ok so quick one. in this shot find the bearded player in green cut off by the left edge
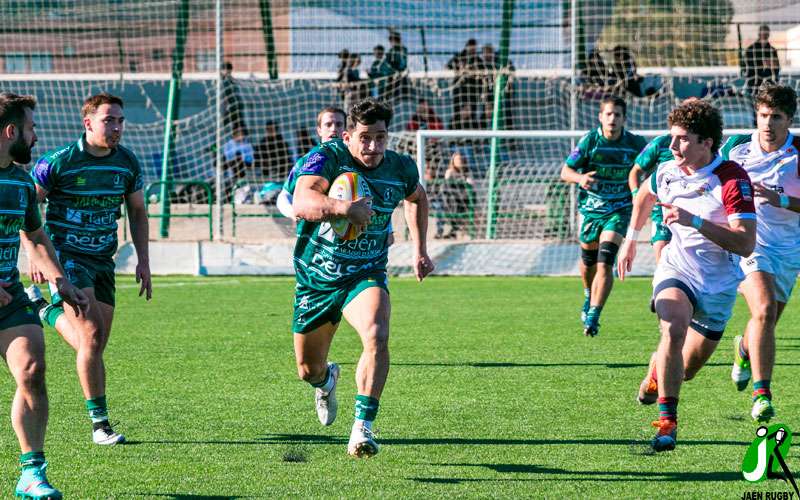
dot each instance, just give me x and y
(21, 337)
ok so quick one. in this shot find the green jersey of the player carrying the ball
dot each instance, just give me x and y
(322, 260)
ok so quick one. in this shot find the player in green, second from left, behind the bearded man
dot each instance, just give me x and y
(85, 184)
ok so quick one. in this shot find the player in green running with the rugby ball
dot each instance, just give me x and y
(338, 278)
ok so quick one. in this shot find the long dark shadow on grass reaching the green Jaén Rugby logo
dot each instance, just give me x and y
(578, 475)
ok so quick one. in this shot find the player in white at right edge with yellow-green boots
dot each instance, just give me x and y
(770, 157)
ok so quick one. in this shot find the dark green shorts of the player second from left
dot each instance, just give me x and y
(89, 272)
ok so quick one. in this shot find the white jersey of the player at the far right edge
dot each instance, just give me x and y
(778, 228)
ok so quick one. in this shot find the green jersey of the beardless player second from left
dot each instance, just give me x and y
(85, 193)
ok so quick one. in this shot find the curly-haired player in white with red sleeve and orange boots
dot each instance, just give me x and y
(708, 206)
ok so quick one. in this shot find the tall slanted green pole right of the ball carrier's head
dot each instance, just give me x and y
(499, 85)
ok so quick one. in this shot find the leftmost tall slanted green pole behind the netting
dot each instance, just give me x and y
(173, 106)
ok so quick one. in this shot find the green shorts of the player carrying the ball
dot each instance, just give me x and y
(313, 308)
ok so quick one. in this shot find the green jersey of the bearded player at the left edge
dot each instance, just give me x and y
(18, 212)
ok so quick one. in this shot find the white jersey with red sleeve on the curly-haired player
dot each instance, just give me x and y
(719, 192)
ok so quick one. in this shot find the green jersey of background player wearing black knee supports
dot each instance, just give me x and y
(612, 161)
